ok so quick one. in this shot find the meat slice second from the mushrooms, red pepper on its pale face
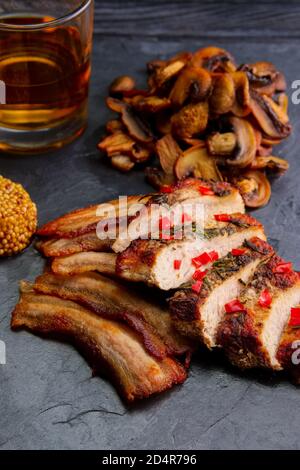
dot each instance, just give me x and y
(154, 262)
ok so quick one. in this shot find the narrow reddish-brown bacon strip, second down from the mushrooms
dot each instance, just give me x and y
(68, 246)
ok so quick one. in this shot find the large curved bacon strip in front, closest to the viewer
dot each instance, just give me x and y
(110, 346)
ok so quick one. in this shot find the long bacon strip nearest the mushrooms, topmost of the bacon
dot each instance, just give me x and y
(85, 220)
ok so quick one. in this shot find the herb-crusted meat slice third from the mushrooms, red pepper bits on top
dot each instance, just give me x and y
(198, 313)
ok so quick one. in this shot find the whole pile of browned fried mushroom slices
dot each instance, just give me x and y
(202, 116)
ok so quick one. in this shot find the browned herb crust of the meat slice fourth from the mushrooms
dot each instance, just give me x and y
(240, 332)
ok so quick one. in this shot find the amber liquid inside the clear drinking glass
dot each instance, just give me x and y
(46, 75)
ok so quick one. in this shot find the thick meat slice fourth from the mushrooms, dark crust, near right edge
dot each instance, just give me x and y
(250, 337)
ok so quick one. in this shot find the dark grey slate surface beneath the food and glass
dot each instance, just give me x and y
(48, 398)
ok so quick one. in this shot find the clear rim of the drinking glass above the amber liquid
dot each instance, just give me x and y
(48, 24)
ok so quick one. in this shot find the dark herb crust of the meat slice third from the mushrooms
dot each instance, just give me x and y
(185, 305)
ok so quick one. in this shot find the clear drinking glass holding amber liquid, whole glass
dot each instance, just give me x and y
(45, 50)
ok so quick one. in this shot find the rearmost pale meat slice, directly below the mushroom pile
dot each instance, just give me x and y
(212, 198)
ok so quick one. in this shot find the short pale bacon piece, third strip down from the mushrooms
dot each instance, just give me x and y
(84, 262)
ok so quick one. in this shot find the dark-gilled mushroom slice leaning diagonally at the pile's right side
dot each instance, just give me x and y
(270, 116)
